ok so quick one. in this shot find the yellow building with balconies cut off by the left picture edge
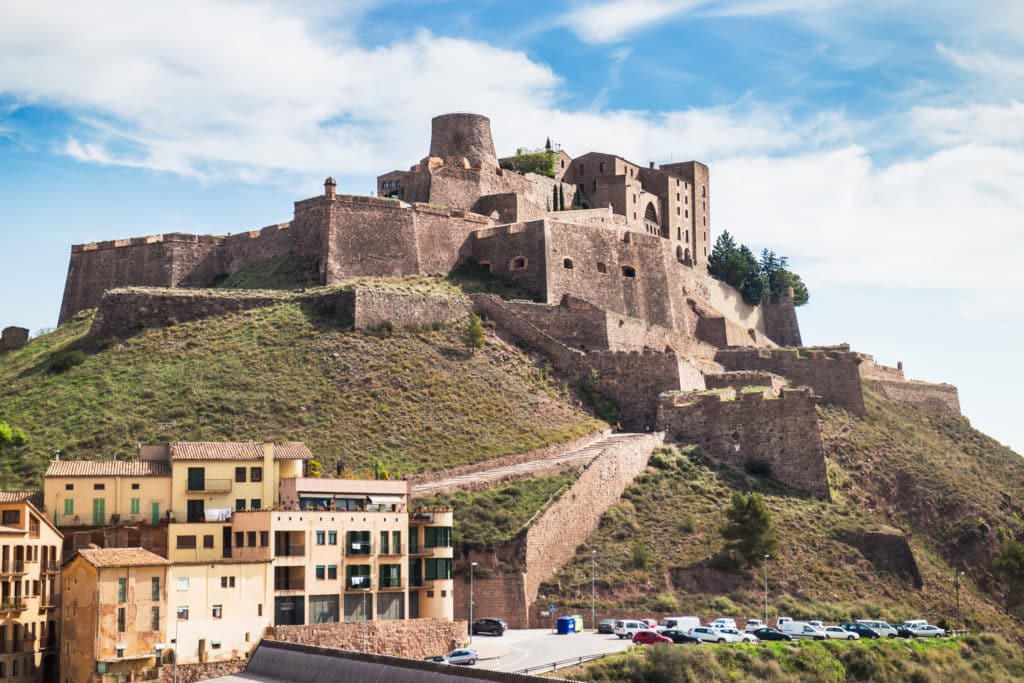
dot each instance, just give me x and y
(30, 561)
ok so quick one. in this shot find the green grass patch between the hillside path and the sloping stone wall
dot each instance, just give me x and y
(485, 521)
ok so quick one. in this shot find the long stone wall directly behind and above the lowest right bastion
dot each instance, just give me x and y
(834, 375)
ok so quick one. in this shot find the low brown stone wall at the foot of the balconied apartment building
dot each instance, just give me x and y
(414, 639)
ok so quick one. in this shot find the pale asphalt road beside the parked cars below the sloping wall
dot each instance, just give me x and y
(539, 647)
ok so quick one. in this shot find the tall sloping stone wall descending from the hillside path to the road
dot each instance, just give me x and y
(508, 585)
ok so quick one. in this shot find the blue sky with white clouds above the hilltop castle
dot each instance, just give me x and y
(879, 145)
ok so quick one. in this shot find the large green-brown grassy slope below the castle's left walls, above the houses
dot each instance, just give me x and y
(419, 401)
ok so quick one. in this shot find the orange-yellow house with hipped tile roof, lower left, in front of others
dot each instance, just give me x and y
(114, 614)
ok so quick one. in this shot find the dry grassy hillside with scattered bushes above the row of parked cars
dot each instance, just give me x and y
(657, 549)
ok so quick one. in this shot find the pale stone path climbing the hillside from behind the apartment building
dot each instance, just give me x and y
(540, 467)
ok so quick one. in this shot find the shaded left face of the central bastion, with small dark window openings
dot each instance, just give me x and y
(500, 246)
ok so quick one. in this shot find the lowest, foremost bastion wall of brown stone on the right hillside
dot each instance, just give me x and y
(782, 434)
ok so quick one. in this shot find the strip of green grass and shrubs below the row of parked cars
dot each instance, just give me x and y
(970, 659)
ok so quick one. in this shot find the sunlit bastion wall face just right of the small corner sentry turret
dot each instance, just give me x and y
(369, 237)
